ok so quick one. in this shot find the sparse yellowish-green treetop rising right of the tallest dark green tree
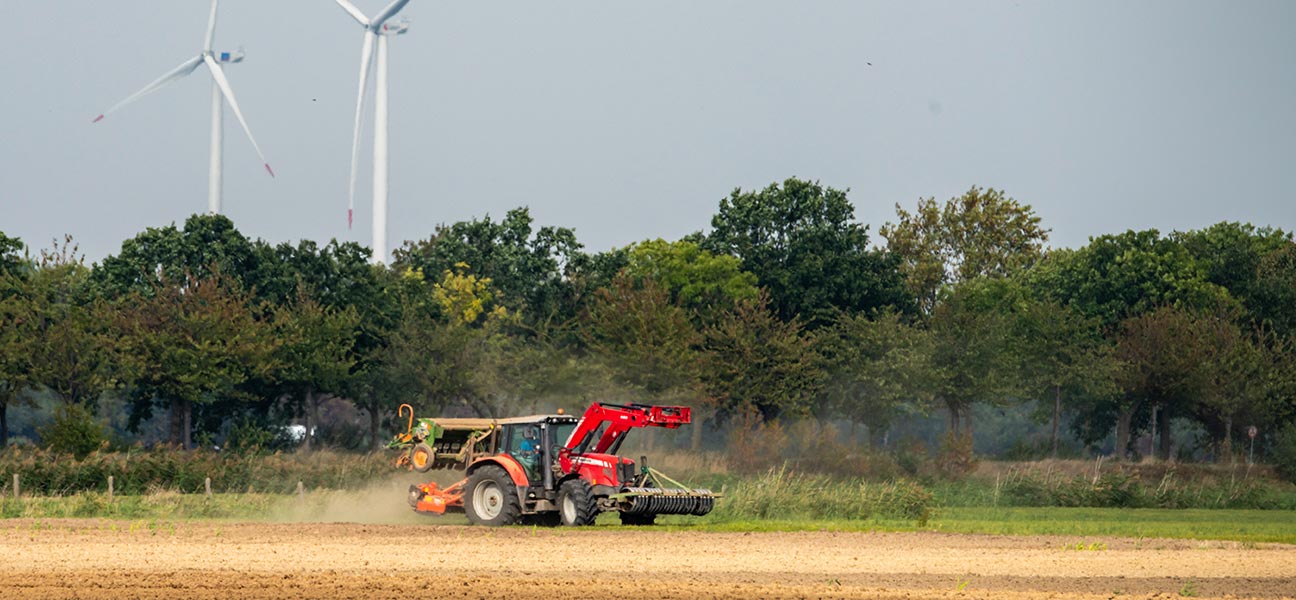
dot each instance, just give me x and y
(979, 234)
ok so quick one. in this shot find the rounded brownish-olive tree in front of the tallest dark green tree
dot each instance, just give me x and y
(758, 362)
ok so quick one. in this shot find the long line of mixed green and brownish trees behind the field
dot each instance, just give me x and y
(785, 308)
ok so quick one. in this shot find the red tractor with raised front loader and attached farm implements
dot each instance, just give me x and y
(549, 470)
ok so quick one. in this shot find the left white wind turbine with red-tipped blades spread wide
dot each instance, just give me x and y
(221, 91)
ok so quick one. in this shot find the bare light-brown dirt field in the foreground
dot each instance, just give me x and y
(191, 560)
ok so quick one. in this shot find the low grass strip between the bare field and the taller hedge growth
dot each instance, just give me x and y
(388, 507)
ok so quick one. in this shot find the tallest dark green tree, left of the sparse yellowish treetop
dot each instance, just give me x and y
(804, 247)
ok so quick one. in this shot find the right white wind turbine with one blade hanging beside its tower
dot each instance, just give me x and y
(376, 30)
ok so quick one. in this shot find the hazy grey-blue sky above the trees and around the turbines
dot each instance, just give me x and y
(632, 120)
